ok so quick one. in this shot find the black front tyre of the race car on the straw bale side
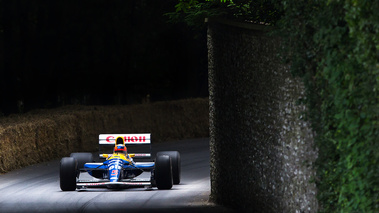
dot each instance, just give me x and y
(67, 174)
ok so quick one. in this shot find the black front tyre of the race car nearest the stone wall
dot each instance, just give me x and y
(163, 172)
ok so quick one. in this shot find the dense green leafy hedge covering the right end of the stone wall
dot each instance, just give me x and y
(334, 46)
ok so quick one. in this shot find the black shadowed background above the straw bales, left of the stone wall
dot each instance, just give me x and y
(55, 53)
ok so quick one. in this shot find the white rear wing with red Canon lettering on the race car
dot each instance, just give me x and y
(130, 140)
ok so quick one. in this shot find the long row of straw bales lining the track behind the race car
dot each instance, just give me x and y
(43, 135)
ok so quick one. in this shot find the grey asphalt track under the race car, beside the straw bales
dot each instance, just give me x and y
(36, 188)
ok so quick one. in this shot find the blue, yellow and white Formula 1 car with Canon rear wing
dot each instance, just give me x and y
(119, 170)
